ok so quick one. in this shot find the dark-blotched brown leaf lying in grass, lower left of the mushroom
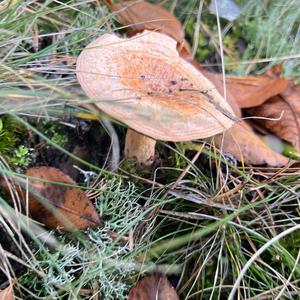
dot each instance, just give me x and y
(68, 208)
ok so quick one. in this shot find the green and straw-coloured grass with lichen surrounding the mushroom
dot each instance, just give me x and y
(199, 219)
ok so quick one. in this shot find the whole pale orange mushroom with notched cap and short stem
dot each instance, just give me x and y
(142, 82)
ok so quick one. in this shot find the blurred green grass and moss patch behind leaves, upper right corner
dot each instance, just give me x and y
(267, 31)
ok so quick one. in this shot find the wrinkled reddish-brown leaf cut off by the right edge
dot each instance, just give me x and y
(287, 104)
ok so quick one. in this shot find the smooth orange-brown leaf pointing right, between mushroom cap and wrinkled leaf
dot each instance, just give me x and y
(250, 91)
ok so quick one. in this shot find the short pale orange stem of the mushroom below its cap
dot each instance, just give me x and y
(139, 147)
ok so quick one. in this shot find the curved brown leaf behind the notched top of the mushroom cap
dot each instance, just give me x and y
(141, 15)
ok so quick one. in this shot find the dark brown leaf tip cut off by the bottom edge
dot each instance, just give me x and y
(153, 287)
